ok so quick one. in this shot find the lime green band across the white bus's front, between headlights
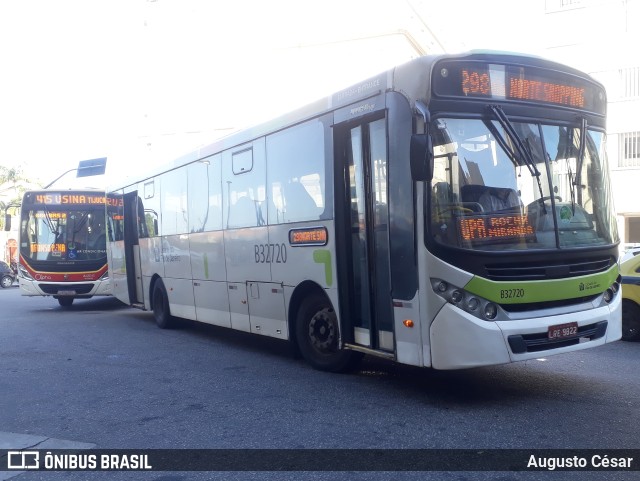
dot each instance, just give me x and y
(541, 291)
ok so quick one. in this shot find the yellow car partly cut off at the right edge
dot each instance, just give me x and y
(630, 271)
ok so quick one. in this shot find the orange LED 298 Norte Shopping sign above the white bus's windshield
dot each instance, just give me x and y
(517, 83)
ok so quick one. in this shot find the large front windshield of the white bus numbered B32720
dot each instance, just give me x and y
(500, 184)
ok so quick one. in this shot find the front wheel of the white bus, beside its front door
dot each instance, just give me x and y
(317, 335)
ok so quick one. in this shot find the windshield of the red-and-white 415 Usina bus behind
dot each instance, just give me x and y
(63, 234)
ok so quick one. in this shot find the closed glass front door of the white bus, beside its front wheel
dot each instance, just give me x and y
(365, 249)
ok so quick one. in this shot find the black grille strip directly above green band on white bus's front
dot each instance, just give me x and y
(547, 270)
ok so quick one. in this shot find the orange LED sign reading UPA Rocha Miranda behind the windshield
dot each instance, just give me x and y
(495, 228)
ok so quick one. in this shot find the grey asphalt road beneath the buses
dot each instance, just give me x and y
(102, 374)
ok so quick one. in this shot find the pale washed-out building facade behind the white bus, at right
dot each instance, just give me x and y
(601, 38)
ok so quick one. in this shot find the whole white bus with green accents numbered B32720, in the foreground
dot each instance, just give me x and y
(452, 212)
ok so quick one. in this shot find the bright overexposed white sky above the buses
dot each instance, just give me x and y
(143, 81)
